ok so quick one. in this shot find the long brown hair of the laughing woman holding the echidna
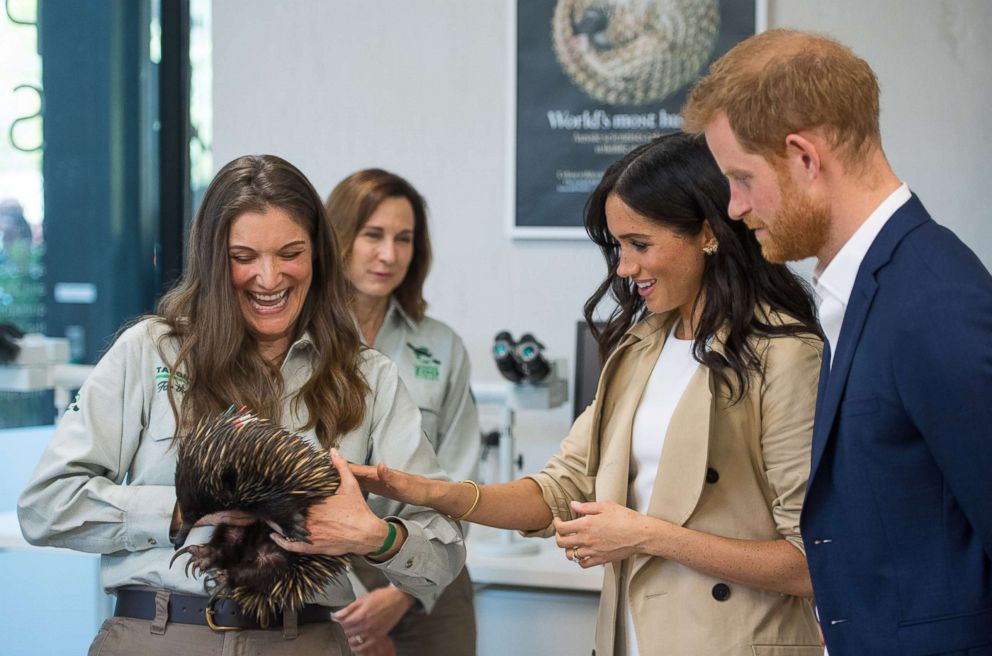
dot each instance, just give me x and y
(217, 355)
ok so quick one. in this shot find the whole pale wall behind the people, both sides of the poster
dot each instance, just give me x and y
(420, 87)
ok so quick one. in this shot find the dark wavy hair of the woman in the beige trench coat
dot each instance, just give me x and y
(675, 182)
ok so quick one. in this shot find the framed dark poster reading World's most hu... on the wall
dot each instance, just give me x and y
(595, 78)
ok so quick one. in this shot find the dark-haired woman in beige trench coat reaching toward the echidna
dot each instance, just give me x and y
(686, 475)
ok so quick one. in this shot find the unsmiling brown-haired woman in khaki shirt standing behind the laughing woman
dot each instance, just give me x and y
(381, 223)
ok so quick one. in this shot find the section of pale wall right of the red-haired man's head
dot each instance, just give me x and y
(933, 59)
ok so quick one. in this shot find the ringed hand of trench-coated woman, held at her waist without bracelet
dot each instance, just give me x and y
(606, 532)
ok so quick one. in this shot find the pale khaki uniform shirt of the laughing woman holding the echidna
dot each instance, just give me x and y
(105, 482)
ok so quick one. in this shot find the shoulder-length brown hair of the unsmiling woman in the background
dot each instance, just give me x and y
(355, 199)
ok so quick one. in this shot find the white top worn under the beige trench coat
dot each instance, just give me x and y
(664, 390)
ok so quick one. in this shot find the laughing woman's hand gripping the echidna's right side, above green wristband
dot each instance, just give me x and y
(342, 523)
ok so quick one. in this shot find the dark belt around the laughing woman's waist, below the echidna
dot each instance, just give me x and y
(194, 609)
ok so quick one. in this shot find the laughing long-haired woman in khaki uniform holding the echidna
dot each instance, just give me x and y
(259, 319)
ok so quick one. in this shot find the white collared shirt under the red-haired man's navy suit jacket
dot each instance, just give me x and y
(834, 283)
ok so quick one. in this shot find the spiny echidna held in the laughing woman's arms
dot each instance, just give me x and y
(239, 461)
